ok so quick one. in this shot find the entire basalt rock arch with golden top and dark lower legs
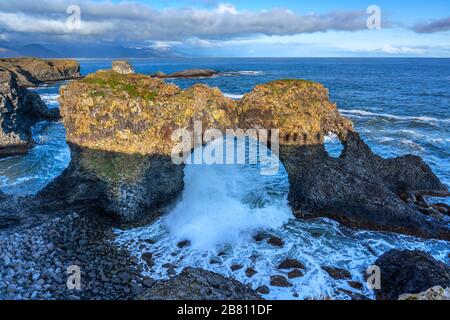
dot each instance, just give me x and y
(119, 128)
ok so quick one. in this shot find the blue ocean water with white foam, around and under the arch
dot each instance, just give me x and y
(399, 106)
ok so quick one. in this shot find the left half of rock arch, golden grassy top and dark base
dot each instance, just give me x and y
(119, 128)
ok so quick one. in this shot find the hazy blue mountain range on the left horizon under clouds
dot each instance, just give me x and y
(84, 51)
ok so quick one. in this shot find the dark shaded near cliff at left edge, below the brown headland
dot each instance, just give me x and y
(19, 110)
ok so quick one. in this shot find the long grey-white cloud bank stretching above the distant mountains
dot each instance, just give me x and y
(107, 21)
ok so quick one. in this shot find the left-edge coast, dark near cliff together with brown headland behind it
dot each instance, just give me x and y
(21, 108)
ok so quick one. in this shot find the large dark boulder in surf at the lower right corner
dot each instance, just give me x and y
(409, 272)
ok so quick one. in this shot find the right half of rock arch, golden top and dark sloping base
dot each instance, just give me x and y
(359, 189)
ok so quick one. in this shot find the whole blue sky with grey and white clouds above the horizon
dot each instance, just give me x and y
(239, 28)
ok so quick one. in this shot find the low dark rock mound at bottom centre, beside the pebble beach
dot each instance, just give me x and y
(199, 284)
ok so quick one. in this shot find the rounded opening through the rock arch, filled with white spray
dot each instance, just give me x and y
(225, 203)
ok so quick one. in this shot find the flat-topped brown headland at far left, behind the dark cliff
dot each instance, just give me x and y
(32, 72)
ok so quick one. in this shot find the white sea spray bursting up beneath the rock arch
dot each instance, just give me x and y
(224, 204)
